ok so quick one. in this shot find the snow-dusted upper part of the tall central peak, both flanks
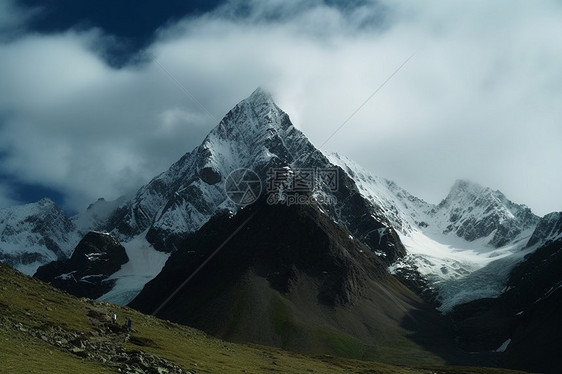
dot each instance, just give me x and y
(255, 135)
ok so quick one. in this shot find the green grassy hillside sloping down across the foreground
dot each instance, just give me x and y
(43, 330)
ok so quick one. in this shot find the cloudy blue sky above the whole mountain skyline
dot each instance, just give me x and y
(97, 98)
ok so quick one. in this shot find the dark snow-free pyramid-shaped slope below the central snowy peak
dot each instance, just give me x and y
(290, 277)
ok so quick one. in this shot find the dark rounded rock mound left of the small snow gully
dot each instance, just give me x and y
(97, 256)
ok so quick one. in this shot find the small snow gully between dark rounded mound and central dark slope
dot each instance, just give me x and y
(144, 264)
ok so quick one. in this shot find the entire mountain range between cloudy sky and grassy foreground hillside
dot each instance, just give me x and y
(362, 264)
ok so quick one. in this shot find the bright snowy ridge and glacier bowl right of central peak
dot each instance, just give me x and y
(464, 247)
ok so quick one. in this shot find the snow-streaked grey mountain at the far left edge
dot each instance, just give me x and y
(34, 234)
